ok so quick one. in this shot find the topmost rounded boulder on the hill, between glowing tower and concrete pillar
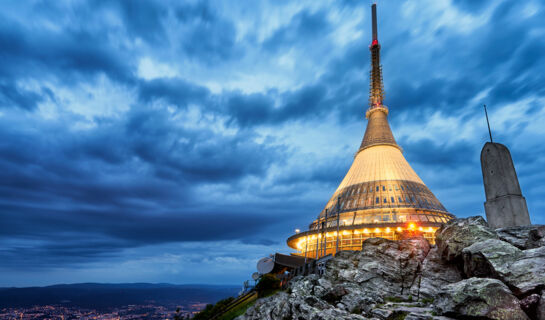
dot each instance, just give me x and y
(458, 234)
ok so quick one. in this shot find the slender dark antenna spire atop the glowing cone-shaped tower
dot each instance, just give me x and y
(376, 91)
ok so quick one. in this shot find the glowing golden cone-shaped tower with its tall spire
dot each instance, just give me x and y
(381, 195)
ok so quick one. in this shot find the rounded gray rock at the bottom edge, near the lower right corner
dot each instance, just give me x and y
(479, 297)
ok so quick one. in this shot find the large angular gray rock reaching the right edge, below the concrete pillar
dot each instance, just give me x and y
(522, 270)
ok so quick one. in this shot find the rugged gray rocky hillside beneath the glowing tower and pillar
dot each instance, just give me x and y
(474, 272)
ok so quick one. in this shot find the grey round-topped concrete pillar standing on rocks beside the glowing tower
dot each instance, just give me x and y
(505, 206)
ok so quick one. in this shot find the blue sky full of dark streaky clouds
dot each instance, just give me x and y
(181, 141)
